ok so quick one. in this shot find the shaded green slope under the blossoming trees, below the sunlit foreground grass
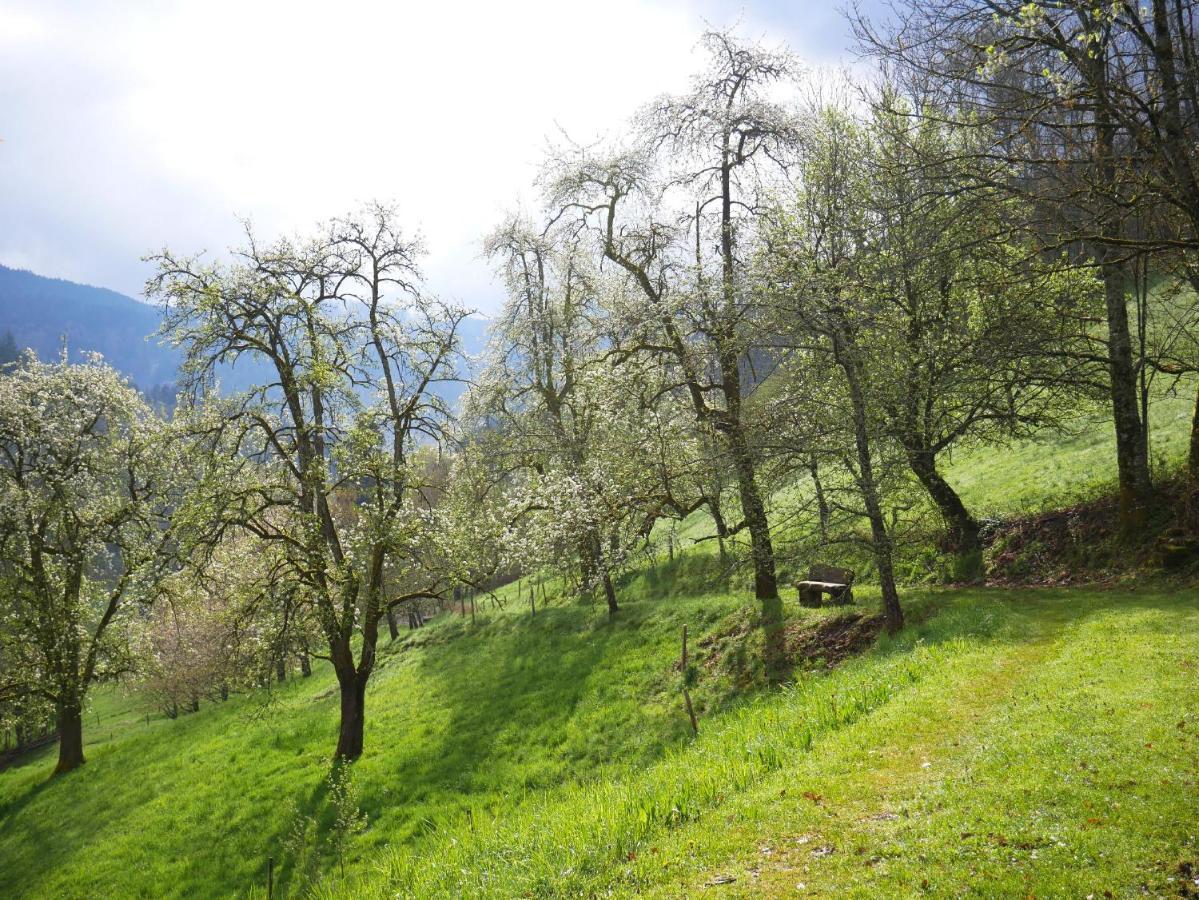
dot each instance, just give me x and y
(472, 720)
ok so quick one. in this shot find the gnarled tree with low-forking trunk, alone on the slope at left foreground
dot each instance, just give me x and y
(320, 460)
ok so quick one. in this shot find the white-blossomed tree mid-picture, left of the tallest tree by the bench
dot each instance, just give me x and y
(588, 456)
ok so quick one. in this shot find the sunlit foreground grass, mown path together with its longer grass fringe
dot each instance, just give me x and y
(1016, 742)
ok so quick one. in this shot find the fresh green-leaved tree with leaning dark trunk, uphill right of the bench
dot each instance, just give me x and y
(977, 335)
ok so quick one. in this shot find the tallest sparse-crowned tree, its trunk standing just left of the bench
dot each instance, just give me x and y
(674, 208)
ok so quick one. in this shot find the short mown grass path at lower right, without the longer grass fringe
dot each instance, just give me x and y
(1057, 758)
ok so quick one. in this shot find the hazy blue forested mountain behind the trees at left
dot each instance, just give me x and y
(46, 313)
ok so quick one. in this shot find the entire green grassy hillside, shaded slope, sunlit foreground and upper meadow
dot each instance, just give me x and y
(565, 741)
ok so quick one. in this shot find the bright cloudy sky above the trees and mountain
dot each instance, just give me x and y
(126, 128)
